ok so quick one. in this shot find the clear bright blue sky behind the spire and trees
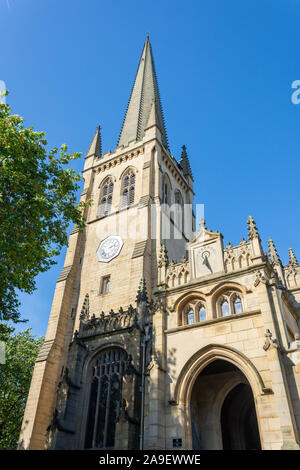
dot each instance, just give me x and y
(225, 70)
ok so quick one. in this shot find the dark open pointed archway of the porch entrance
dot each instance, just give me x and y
(222, 409)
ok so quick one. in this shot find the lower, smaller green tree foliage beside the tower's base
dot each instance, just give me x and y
(21, 350)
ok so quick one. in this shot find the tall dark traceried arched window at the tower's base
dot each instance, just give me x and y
(106, 378)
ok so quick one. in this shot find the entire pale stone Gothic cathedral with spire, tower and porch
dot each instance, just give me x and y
(160, 337)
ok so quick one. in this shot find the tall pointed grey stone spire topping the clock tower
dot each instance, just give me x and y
(144, 107)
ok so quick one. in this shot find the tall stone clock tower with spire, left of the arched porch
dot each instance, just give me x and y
(101, 318)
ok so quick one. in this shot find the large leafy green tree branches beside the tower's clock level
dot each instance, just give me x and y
(37, 204)
